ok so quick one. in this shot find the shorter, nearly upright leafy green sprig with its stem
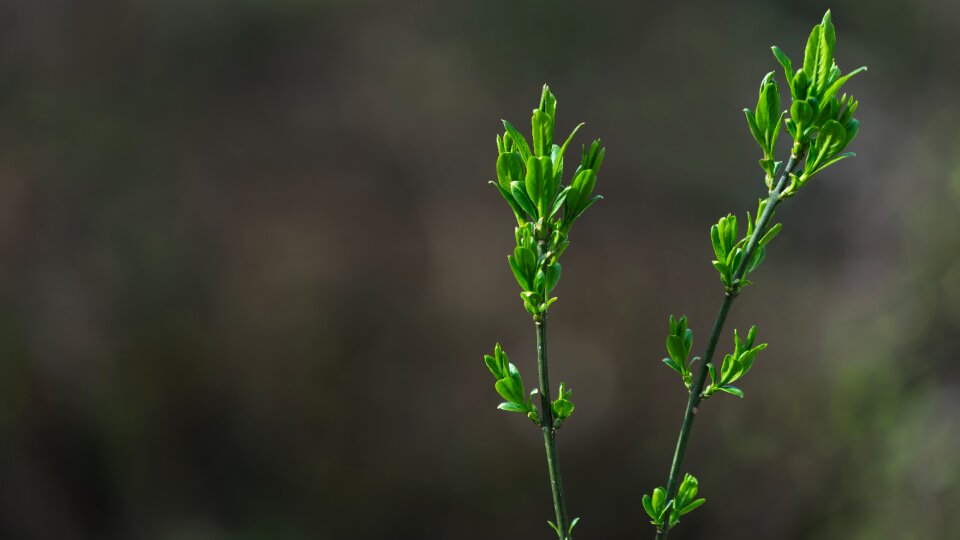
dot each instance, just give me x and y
(530, 179)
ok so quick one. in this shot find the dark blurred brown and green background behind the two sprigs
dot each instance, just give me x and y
(250, 263)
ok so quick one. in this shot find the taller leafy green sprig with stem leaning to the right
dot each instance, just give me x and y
(821, 125)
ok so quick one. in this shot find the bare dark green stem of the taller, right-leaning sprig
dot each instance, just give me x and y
(696, 391)
